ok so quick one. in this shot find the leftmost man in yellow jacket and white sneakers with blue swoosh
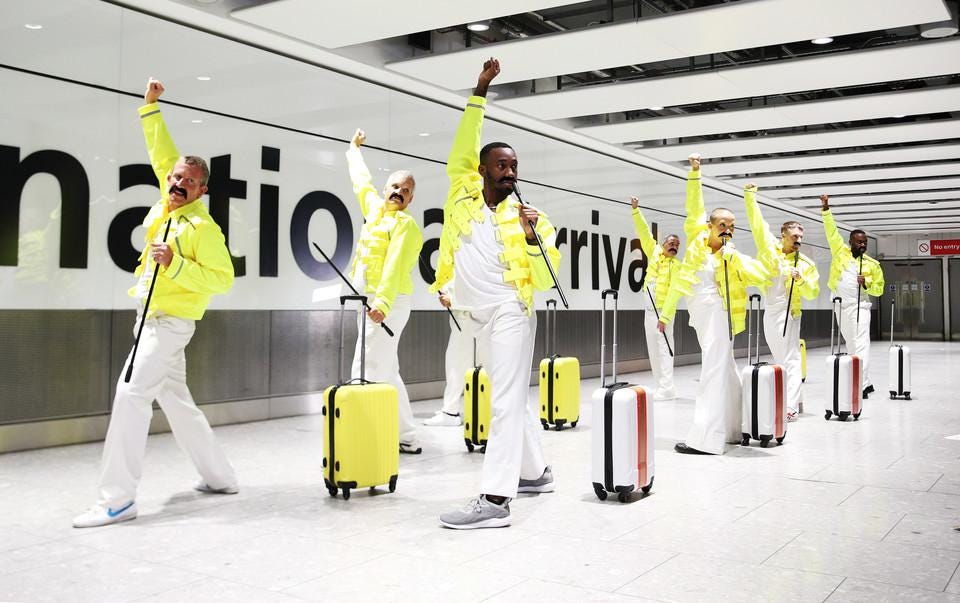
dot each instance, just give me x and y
(187, 248)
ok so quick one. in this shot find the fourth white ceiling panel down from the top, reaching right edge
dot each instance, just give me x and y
(851, 108)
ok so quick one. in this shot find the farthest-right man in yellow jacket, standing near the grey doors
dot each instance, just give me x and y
(853, 276)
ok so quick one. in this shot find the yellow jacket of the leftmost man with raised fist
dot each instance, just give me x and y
(201, 265)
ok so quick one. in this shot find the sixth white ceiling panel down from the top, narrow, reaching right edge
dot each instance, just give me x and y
(833, 160)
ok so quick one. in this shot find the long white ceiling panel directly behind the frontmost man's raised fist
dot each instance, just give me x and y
(682, 34)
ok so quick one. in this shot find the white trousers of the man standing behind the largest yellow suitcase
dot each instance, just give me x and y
(383, 361)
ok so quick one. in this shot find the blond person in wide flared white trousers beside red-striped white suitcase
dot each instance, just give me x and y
(702, 279)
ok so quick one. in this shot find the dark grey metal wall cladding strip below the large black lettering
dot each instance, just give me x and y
(66, 363)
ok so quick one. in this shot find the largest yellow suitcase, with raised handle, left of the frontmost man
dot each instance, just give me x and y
(361, 444)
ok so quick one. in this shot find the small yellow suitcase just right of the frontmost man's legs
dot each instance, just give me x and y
(559, 381)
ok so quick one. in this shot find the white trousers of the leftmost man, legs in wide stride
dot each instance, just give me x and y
(159, 373)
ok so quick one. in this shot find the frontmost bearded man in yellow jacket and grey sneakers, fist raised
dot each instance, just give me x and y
(489, 249)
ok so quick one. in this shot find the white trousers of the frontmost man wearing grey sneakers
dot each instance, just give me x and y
(505, 337)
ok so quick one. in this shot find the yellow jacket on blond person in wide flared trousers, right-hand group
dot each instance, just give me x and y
(744, 271)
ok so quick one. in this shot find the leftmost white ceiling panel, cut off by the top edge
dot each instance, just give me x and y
(336, 24)
